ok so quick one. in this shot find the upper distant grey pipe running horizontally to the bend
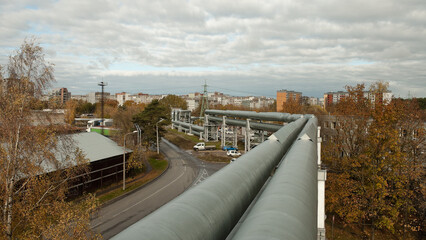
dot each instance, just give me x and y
(268, 116)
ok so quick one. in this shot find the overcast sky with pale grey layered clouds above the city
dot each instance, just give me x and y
(238, 47)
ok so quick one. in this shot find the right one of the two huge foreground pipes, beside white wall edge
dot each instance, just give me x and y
(287, 208)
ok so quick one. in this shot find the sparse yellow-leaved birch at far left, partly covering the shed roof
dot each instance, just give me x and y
(36, 163)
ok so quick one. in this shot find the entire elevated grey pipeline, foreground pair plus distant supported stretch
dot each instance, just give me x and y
(290, 206)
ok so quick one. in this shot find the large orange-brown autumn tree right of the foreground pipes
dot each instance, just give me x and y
(373, 176)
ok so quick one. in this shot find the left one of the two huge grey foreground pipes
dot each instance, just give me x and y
(213, 207)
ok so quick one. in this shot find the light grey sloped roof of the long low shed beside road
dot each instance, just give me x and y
(97, 147)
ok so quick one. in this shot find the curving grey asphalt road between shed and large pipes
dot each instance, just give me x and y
(184, 171)
